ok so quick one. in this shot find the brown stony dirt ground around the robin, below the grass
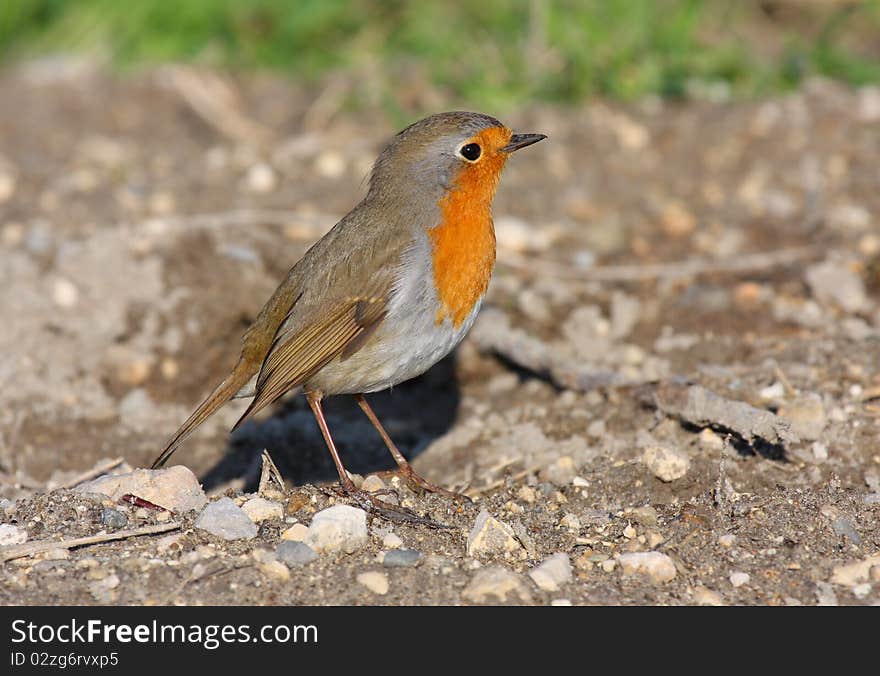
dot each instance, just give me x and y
(140, 234)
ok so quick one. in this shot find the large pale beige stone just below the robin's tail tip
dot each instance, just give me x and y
(176, 488)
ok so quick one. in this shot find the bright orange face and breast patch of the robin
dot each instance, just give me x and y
(463, 244)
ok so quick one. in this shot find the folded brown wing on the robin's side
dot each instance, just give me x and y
(301, 351)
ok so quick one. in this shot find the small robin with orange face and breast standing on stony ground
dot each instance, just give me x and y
(388, 292)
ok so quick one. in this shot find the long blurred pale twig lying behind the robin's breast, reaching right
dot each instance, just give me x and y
(678, 270)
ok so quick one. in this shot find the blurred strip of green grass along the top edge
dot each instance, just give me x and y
(493, 53)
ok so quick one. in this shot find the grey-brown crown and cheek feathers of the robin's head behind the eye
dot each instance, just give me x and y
(420, 162)
